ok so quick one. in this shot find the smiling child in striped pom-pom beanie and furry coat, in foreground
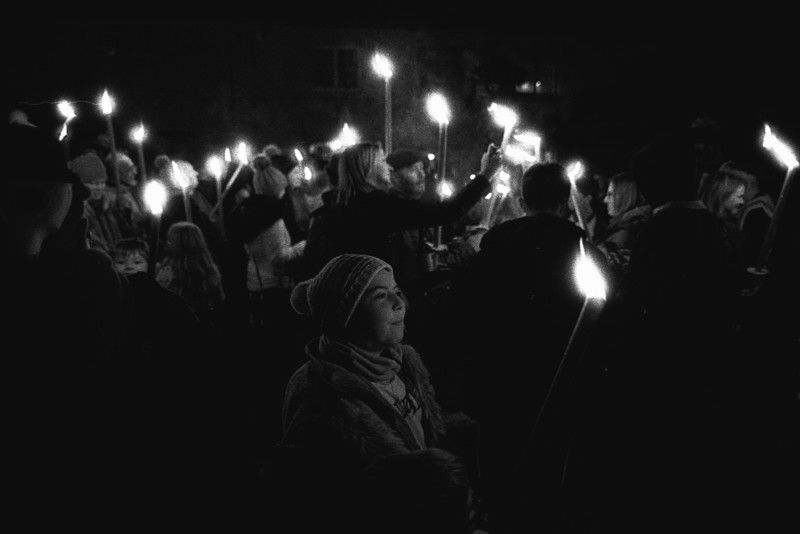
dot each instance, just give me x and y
(363, 395)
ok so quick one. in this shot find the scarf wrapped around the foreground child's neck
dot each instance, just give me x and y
(374, 367)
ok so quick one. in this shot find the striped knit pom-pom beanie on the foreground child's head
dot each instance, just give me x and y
(332, 295)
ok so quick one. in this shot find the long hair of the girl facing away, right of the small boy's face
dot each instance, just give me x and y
(196, 276)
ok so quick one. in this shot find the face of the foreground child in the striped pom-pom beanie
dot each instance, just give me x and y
(378, 321)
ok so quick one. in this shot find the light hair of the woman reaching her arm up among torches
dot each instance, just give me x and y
(359, 170)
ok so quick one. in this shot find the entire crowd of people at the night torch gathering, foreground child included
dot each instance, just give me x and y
(338, 346)
